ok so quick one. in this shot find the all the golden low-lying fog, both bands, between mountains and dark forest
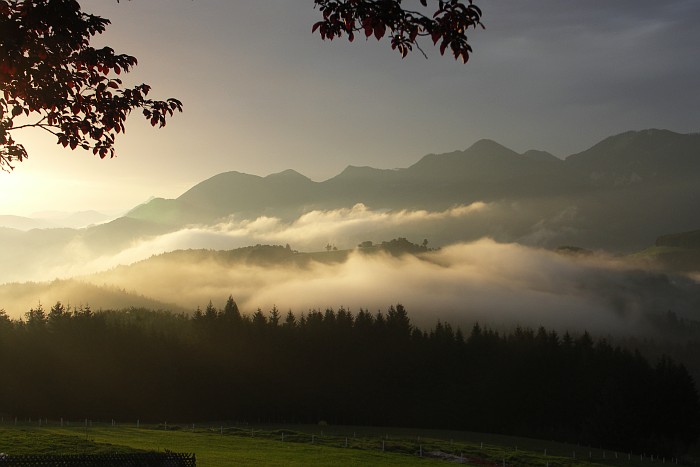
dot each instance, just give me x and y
(485, 280)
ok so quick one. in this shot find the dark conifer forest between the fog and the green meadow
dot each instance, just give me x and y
(341, 368)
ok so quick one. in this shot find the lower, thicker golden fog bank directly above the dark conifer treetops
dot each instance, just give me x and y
(496, 283)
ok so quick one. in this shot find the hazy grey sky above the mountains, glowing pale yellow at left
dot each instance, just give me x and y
(262, 94)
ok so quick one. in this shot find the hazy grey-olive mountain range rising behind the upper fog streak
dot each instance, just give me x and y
(625, 191)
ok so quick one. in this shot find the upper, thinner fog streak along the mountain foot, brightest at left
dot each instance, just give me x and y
(42, 255)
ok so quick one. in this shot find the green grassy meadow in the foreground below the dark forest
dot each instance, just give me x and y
(306, 445)
